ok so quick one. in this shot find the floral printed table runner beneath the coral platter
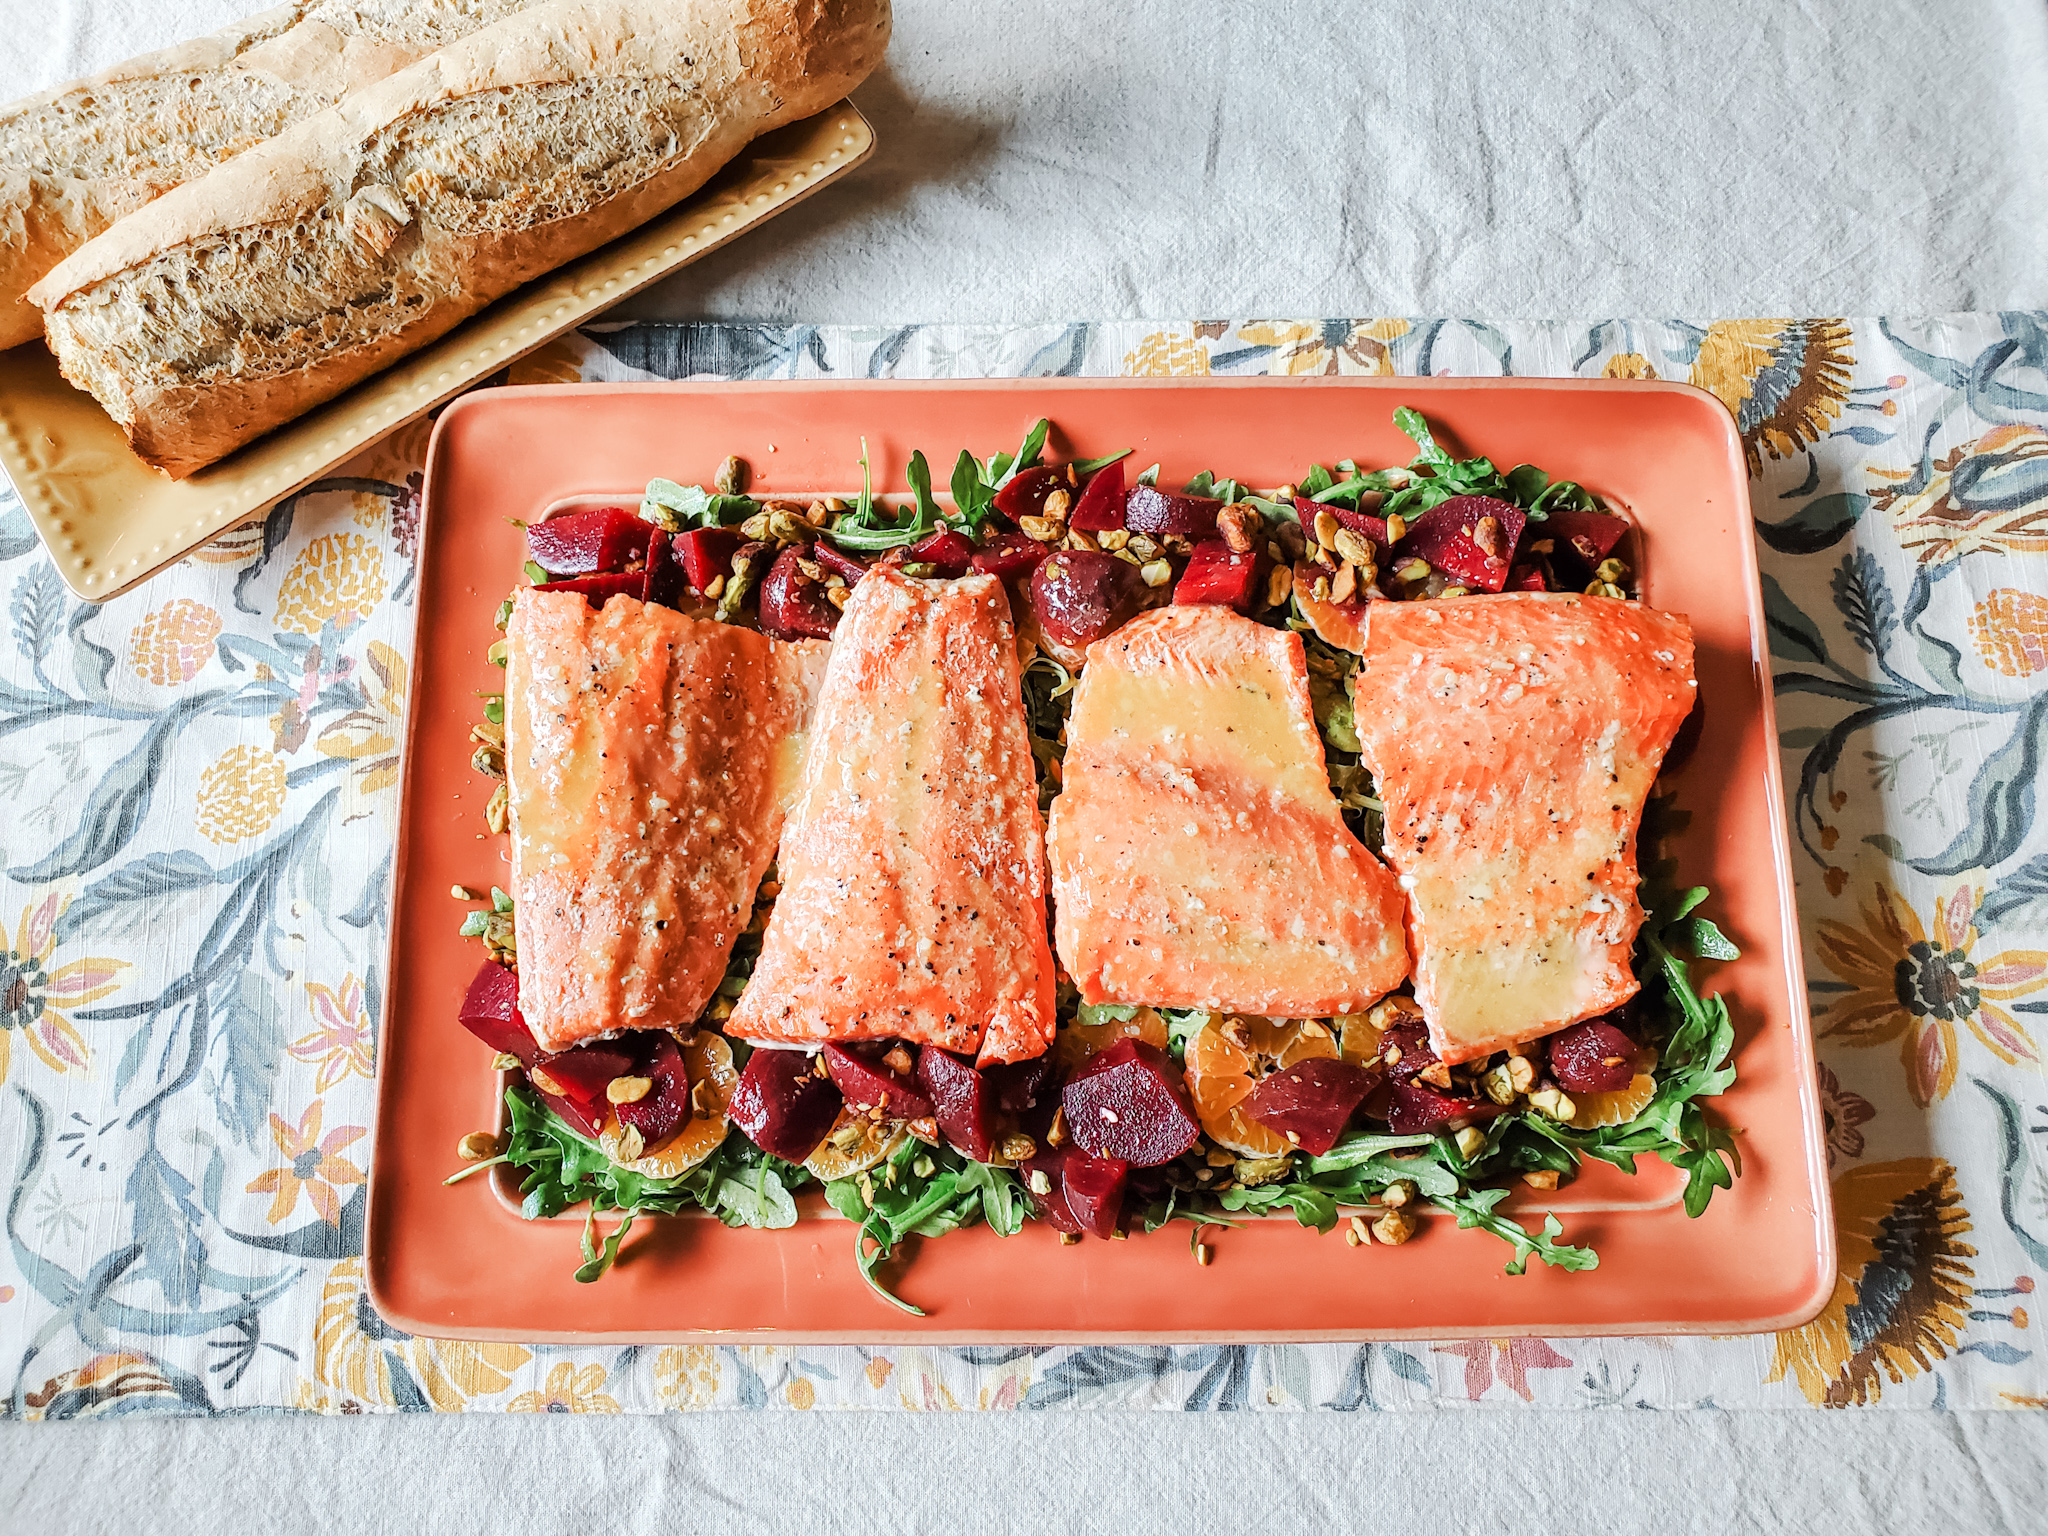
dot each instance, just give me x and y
(200, 804)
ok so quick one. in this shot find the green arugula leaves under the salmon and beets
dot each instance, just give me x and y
(927, 1191)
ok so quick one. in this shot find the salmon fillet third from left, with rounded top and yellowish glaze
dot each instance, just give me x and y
(1199, 855)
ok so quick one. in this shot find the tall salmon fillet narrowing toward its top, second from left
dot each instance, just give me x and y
(914, 861)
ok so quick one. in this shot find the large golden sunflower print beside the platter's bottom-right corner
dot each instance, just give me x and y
(1902, 1271)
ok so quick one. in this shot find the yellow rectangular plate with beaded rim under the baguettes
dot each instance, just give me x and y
(112, 521)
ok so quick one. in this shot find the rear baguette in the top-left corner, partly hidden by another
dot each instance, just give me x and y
(77, 159)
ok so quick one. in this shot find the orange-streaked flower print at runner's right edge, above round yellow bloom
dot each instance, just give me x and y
(1983, 497)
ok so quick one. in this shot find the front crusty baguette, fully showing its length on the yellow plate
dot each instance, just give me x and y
(312, 261)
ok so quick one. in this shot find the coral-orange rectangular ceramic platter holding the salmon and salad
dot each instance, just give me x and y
(460, 1263)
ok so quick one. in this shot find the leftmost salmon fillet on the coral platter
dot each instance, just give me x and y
(650, 761)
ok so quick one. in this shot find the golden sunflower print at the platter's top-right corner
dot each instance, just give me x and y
(1787, 382)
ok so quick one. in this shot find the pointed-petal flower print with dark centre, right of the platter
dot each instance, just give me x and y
(1918, 982)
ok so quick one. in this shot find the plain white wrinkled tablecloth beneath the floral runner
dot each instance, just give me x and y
(1142, 159)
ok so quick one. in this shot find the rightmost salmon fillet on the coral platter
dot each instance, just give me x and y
(1514, 740)
